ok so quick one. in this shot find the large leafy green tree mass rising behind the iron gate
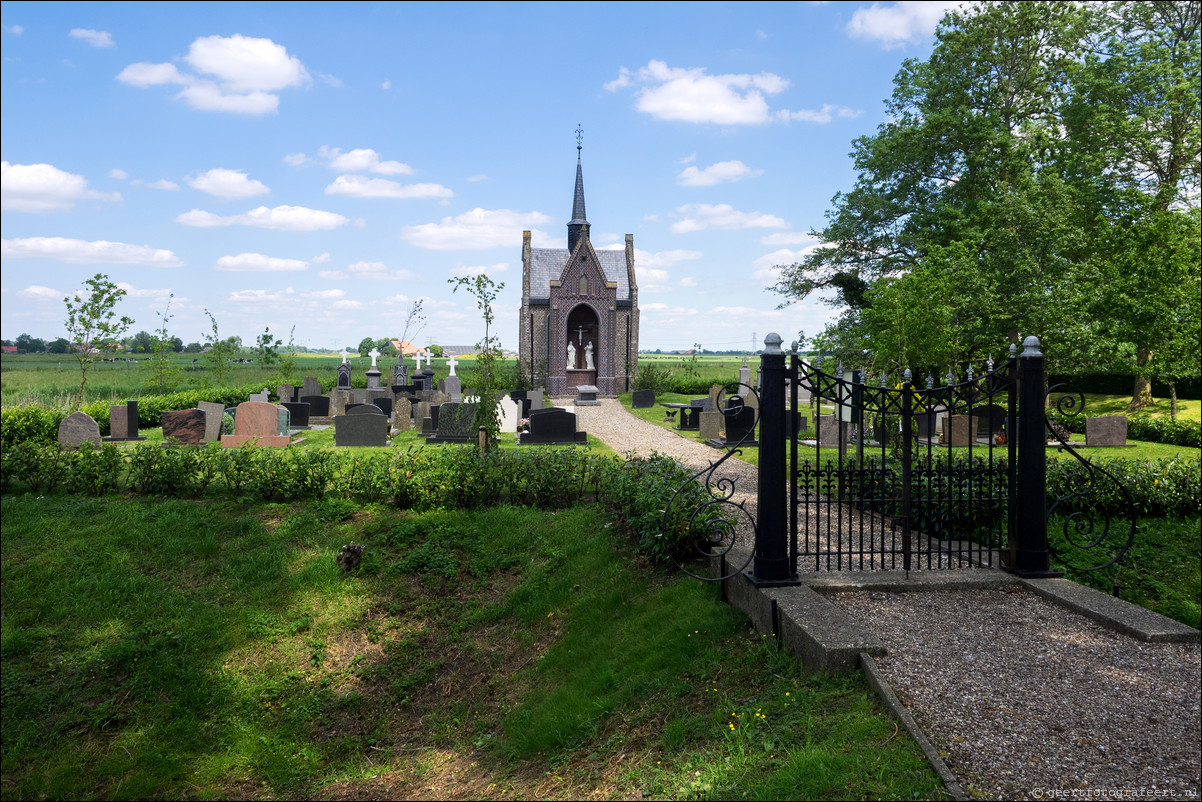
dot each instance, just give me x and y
(1014, 189)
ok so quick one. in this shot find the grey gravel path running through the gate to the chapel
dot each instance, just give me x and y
(1025, 699)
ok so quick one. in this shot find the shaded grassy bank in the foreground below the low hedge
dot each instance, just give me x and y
(216, 650)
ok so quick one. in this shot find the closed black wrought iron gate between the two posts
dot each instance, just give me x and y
(885, 476)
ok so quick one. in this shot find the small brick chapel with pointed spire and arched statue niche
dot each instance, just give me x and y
(580, 310)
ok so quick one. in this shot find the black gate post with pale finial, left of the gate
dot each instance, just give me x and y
(772, 567)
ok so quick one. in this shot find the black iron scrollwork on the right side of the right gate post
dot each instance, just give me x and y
(1086, 530)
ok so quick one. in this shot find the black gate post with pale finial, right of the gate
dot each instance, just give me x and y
(1032, 557)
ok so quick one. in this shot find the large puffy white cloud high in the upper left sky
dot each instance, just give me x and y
(246, 74)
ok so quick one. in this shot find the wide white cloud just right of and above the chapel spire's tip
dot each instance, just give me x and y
(691, 96)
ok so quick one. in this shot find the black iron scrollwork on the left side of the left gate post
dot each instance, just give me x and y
(713, 526)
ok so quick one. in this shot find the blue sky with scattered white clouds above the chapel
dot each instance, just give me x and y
(325, 165)
